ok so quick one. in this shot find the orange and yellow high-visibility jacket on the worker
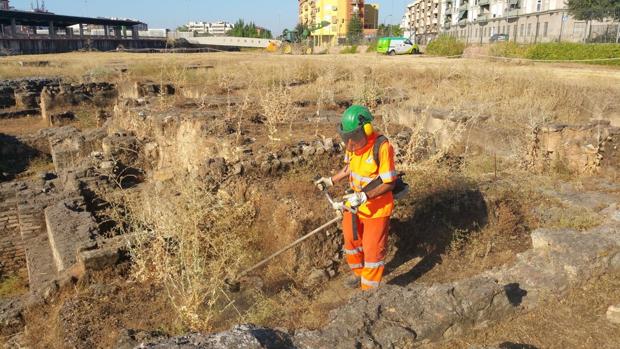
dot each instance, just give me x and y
(364, 169)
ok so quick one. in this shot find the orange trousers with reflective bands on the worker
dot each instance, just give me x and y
(365, 242)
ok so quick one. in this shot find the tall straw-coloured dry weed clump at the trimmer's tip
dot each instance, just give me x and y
(189, 241)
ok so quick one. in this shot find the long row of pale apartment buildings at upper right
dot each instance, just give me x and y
(476, 21)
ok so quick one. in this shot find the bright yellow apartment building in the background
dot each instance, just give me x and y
(337, 12)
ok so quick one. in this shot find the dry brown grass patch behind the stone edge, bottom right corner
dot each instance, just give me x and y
(575, 321)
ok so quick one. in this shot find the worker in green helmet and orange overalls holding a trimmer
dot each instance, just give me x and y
(372, 181)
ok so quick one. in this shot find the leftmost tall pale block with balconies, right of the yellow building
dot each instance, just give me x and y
(422, 18)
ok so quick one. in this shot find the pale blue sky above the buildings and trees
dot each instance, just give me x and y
(272, 14)
